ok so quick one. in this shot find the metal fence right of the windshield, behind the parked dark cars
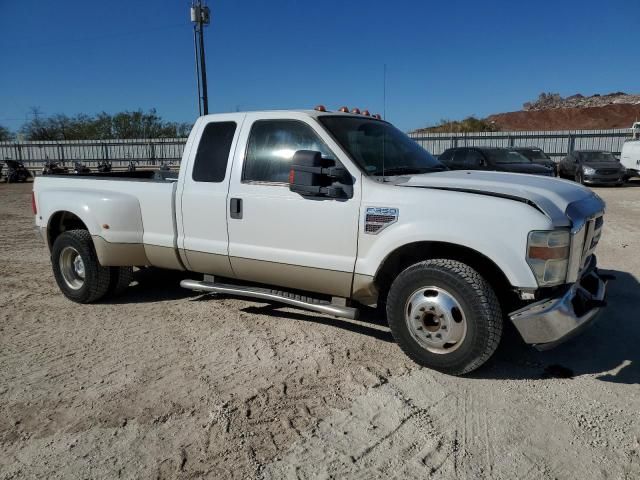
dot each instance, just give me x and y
(555, 143)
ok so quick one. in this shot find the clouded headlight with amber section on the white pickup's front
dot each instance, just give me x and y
(548, 256)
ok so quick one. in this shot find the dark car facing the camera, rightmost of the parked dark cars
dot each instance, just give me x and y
(592, 167)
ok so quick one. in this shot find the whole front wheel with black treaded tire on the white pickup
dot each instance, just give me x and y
(444, 316)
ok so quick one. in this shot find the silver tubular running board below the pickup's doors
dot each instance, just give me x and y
(300, 301)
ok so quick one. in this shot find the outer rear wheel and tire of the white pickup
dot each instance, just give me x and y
(76, 268)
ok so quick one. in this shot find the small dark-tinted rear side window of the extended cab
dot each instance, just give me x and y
(213, 152)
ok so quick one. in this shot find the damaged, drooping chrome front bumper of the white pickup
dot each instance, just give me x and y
(550, 322)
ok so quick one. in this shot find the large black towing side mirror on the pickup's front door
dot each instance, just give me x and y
(313, 176)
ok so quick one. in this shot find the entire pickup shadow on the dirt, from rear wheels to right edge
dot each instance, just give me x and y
(609, 349)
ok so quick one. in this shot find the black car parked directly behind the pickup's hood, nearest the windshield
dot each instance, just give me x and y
(487, 158)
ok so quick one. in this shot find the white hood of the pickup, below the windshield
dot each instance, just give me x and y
(550, 195)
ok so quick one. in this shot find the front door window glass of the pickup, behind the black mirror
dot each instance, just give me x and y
(271, 146)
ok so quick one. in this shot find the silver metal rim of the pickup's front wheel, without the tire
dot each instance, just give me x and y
(436, 320)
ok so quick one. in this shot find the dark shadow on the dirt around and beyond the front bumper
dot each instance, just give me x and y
(610, 348)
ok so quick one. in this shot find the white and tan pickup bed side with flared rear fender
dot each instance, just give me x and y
(117, 208)
